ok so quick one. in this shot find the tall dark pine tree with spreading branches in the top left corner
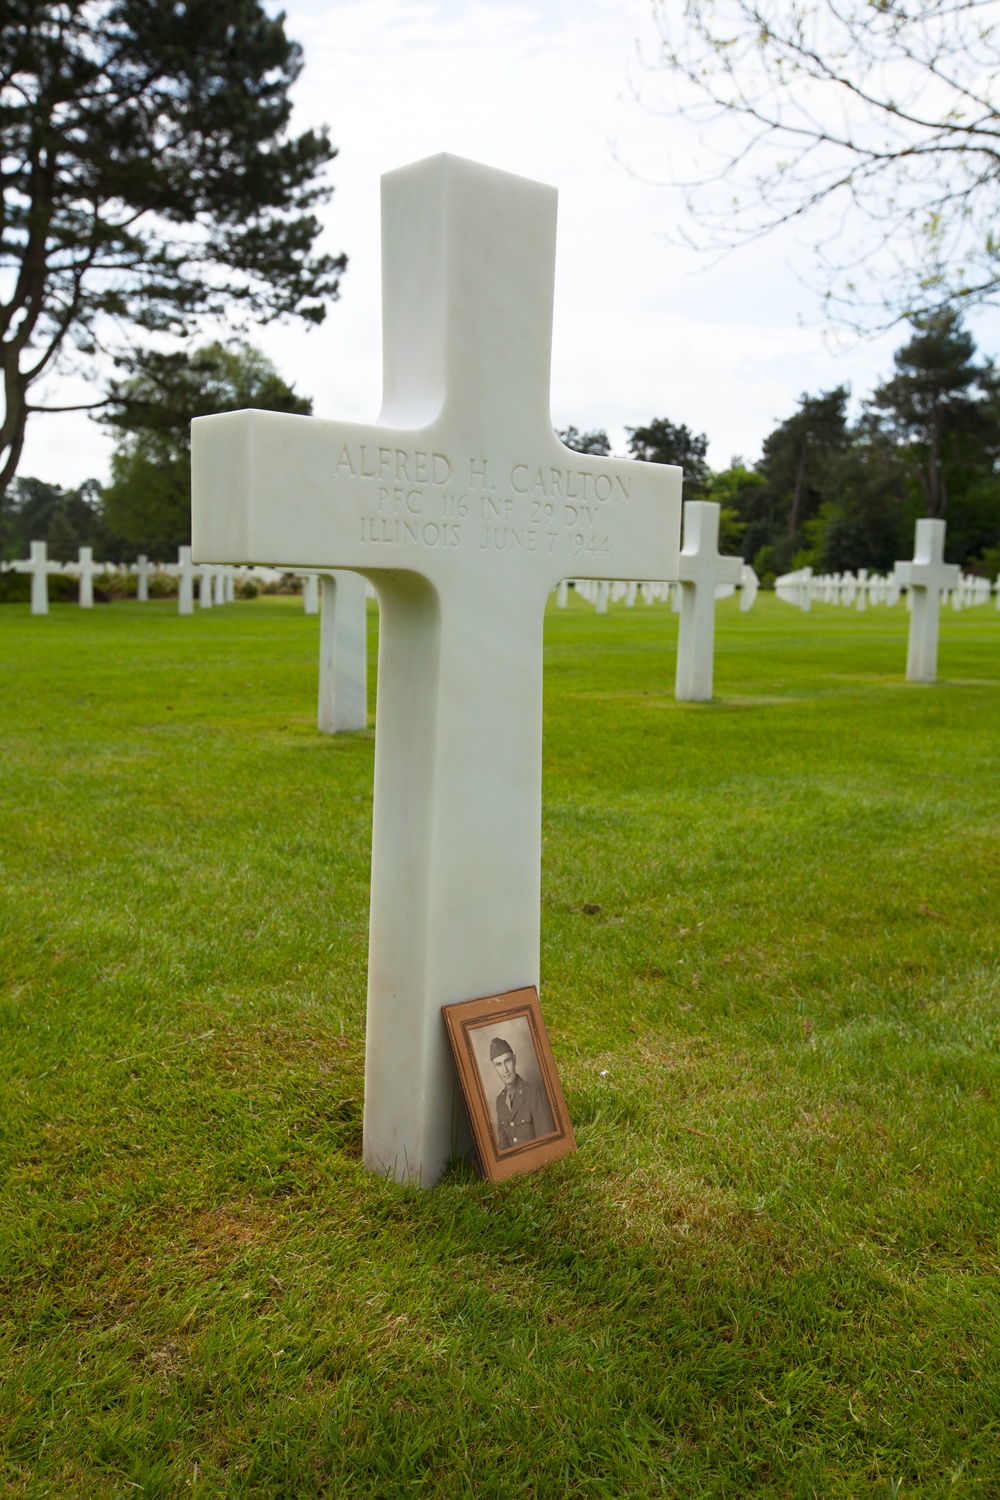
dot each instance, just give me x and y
(148, 179)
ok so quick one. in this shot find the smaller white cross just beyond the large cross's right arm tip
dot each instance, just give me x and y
(701, 569)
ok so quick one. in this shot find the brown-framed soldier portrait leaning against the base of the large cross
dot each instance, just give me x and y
(510, 1085)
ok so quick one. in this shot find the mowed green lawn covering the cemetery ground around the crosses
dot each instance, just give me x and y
(771, 1268)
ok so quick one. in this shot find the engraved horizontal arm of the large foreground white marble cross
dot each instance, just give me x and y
(304, 493)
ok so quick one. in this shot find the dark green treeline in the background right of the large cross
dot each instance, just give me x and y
(840, 494)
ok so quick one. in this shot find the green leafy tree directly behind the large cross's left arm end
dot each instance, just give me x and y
(151, 409)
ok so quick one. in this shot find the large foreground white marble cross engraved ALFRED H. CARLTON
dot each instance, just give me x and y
(466, 511)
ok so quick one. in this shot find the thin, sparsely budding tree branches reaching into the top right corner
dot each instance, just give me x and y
(870, 116)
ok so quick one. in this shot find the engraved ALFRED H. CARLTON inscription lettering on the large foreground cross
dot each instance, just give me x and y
(421, 499)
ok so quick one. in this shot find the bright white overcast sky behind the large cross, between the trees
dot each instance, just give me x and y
(546, 89)
